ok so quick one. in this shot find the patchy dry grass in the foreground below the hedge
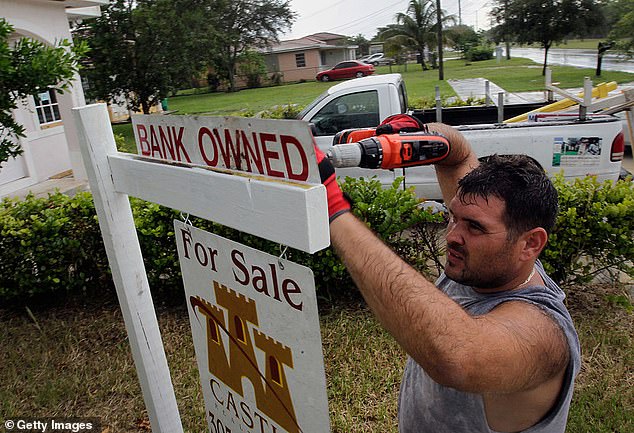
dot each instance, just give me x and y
(76, 362)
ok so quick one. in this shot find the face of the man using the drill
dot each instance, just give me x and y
(479, 252)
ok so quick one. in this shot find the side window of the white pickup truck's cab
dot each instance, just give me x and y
(355, 110)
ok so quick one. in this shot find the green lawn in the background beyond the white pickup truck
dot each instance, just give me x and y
(515, 75)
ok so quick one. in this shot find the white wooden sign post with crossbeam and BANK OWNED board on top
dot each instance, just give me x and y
(257, 176)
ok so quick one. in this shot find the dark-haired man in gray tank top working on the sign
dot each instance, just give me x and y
(491, 347)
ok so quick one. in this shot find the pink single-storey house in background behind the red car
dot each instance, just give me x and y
(301, 59)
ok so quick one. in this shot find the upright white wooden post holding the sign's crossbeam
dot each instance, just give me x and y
(128, 271)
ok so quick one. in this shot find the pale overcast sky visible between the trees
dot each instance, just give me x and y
(351, 17)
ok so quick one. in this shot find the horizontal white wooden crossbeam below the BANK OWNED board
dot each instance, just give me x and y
(293, 214)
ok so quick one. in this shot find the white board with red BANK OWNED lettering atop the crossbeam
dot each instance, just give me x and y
(280, 149)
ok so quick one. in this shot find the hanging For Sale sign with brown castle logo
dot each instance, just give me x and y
(256, 334)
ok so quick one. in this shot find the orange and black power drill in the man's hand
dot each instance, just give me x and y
(361, 148)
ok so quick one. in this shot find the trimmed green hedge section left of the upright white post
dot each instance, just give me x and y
(50, 247)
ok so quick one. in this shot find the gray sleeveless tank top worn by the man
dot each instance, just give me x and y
(427, 407)
